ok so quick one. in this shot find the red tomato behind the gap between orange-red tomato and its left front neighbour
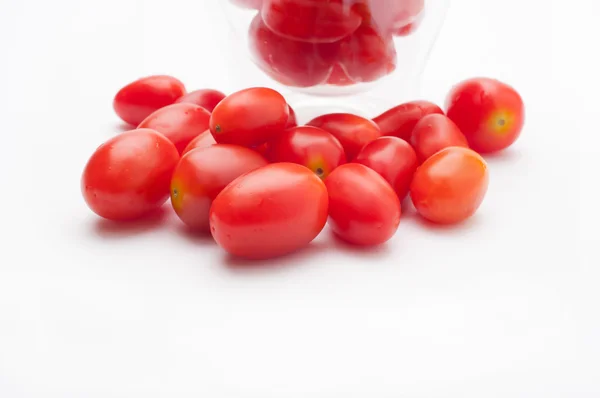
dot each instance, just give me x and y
(394, 159)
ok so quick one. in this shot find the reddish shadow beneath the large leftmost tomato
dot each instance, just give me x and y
(122, 229)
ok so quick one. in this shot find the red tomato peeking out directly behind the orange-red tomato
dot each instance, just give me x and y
(433, 133)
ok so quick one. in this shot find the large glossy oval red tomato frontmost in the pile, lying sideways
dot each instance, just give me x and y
(269, 212)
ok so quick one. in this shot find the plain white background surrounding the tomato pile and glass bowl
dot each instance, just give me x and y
(505, 305)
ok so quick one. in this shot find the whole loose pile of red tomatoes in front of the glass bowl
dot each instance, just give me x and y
(239, 166)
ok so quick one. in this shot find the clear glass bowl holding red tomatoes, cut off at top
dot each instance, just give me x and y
(343, 55)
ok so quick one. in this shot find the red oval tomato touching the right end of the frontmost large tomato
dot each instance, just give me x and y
(363, 208)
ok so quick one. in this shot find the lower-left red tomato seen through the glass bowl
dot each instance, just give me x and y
(292, 63)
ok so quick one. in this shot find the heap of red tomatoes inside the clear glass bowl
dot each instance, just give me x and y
(305, 43)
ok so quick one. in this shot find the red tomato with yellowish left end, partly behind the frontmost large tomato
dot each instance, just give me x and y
(202, 174)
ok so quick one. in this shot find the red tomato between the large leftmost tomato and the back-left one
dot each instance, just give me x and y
(180, 123)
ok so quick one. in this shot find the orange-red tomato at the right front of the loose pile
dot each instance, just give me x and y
(450, 186)
